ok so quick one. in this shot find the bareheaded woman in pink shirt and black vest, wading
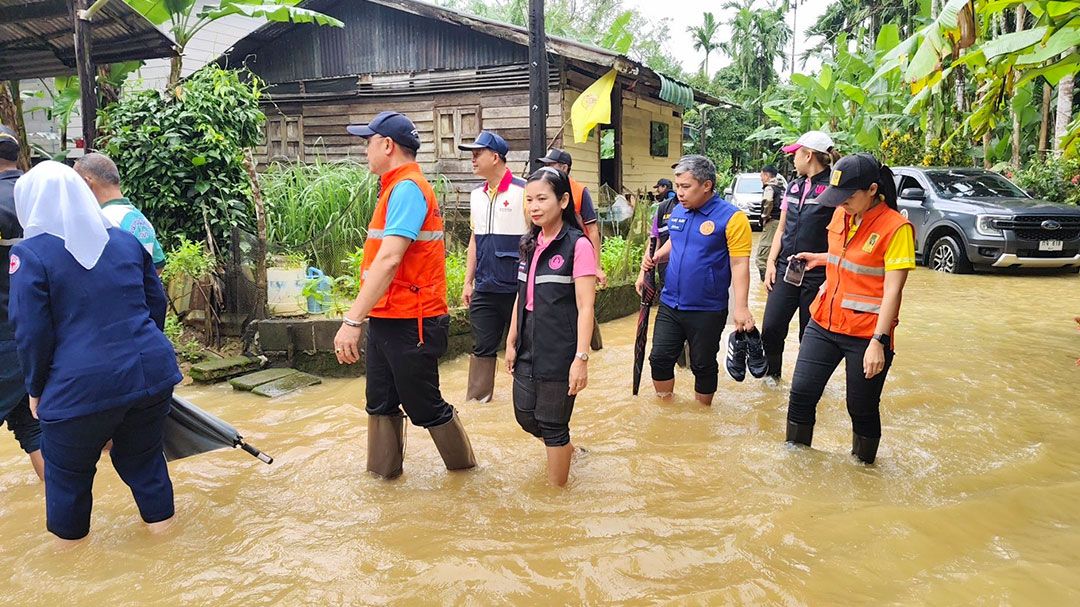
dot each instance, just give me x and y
(548, 345)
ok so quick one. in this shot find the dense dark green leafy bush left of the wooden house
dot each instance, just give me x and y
(182, 158)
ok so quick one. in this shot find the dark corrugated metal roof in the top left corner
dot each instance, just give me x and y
(37, 38)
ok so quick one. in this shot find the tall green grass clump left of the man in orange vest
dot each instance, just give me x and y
(320, 210)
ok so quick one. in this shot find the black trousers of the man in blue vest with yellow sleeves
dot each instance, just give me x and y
(703, 331)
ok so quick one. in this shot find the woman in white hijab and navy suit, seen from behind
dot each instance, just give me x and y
(89, 309)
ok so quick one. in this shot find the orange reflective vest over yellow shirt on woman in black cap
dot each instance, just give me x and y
(850, 300)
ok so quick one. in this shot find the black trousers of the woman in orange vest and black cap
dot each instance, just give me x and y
(820, 354)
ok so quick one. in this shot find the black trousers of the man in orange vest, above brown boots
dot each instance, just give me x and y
(402, 373)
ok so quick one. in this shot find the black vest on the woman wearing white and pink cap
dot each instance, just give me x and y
(807, 227)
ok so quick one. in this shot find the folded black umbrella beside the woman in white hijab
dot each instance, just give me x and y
(192, 431)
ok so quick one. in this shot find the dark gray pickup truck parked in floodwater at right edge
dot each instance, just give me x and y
(971, 218)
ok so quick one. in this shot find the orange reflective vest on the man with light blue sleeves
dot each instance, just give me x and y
(420, 288)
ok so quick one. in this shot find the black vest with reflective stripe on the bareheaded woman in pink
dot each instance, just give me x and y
(555, 340)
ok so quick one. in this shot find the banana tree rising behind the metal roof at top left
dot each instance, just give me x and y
(185, 22)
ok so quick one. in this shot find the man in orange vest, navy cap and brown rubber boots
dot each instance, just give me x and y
(403, 293)
